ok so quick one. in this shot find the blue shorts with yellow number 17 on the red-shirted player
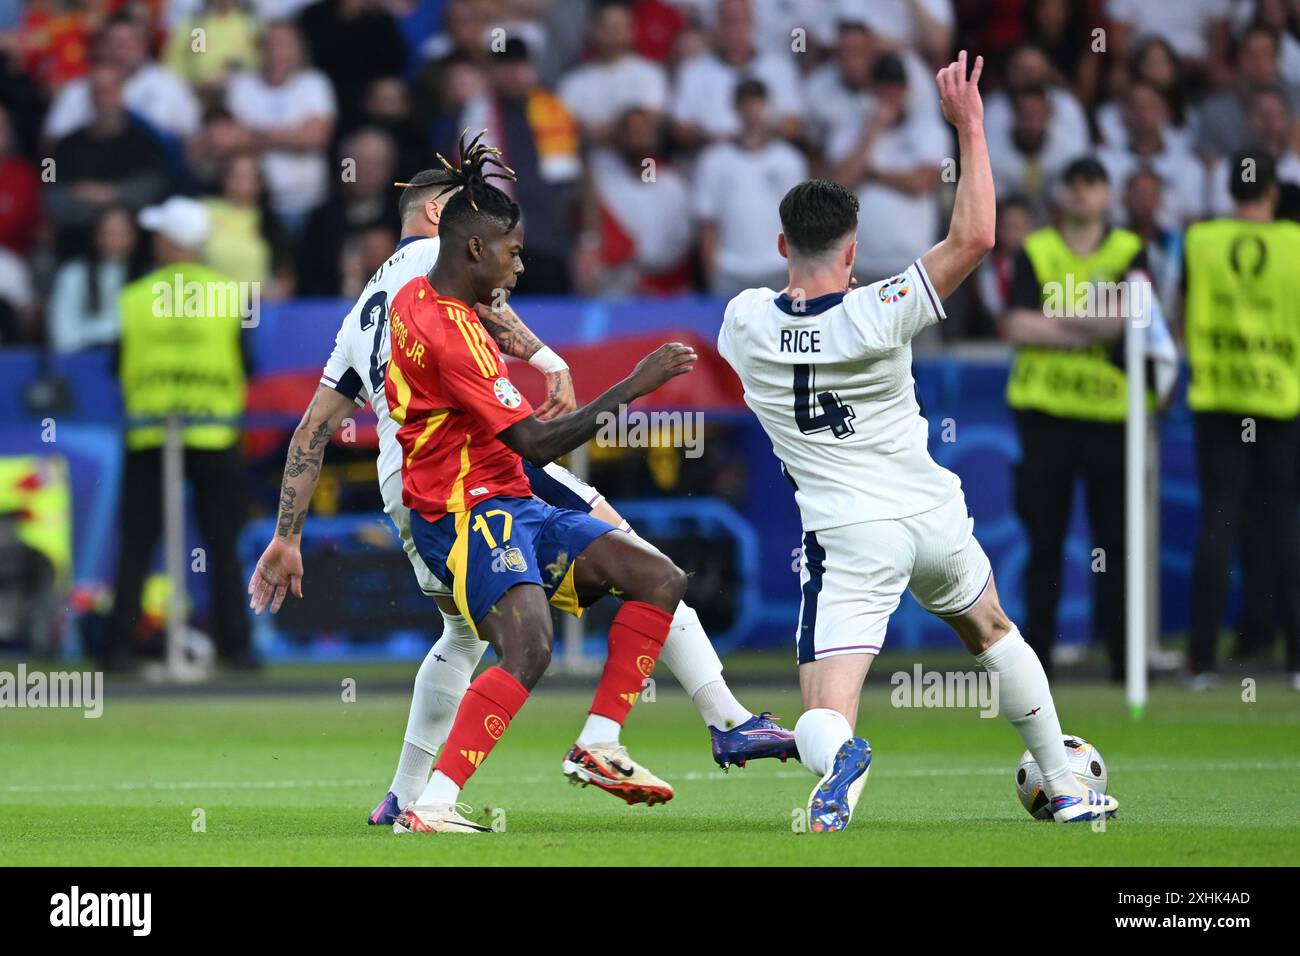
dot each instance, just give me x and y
(486, 552)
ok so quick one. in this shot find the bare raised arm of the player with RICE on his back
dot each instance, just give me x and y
(970, 235)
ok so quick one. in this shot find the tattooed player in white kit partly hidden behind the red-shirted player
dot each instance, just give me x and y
(353, 378)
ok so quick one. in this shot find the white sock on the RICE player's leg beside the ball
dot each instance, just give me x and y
(1025, 699)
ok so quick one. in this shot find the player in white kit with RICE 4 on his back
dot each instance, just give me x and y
(827, 370)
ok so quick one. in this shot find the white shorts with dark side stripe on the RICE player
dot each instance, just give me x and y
(853, 577)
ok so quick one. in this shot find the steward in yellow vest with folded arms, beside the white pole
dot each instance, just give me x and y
(1067, 314)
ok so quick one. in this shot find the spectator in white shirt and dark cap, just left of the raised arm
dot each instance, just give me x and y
(891, 158)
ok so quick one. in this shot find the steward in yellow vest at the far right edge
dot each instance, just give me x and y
(1242, 325)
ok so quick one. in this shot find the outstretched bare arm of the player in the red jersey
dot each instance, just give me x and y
(543, 443)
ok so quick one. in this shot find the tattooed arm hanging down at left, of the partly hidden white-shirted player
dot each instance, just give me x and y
(280, 569)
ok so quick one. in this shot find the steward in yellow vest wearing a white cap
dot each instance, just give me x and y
(181, 354)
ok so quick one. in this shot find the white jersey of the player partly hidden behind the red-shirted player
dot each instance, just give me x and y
(361, 357)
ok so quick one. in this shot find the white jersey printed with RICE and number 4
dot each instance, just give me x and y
(830, 379)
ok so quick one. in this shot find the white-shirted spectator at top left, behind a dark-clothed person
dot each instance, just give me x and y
(150, 92)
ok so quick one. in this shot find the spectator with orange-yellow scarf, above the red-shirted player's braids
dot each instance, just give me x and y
(540, 142)
